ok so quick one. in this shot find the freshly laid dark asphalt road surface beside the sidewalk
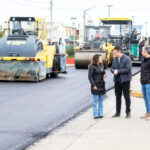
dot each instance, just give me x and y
(29, 111)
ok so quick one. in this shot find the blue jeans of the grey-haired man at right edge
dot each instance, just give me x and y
(146, 96)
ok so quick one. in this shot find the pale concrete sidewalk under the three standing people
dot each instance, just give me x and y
(85, 133)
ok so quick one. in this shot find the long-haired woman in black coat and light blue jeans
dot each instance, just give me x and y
(96, 78)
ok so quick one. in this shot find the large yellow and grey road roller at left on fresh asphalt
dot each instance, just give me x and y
(25, 54)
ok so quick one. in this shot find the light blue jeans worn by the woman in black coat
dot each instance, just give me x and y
(97, 105)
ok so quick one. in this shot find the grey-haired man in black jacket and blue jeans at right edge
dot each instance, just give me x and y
(145, 80)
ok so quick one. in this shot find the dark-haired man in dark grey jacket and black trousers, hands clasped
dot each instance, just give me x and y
(121, 68)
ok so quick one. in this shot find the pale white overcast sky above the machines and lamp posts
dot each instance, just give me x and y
(63, 10)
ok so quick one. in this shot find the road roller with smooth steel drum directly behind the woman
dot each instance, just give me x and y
(96, 37)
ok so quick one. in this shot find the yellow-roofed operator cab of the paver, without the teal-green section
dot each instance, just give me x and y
(120, 32)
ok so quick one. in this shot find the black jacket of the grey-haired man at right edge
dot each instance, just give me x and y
(145, 71)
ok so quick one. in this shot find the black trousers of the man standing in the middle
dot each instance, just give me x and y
(125, 89)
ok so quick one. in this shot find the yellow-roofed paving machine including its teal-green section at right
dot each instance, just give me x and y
(122, 34)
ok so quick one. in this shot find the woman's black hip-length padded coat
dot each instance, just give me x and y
(96, 78)
